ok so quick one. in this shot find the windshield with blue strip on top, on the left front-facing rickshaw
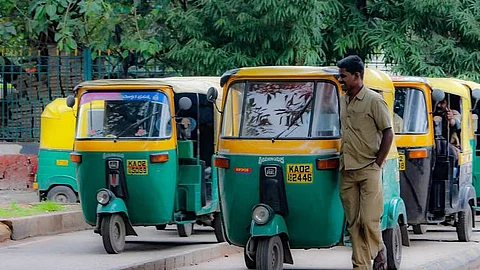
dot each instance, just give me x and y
(124, 115)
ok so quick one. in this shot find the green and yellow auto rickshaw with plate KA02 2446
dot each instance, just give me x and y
(278, 164)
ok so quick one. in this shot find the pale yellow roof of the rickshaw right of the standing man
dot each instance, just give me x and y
(448, 85)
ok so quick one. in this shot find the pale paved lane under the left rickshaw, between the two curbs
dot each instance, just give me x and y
(84, 250)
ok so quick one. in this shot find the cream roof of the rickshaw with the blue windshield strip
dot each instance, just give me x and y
(179, 84)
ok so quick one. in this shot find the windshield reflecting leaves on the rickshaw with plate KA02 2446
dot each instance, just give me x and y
(281, 110)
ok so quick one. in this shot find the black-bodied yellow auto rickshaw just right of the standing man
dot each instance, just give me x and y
(435, 168)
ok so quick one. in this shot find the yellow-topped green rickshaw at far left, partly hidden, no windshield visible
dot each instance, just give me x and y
(55, 176)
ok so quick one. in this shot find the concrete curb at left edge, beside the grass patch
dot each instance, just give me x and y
(46, 224)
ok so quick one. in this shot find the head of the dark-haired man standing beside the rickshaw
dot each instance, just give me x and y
(351, 73)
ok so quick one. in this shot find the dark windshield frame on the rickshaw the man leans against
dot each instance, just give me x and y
(247, 83)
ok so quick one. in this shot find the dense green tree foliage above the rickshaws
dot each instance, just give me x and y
(426, 38)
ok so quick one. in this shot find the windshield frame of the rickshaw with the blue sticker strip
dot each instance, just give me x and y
(133, 91)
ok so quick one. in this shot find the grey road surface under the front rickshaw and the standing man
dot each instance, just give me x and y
(425, 250)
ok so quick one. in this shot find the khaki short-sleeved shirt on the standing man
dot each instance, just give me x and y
(363, 119)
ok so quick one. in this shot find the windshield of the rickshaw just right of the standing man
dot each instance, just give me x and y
(411, 116)
